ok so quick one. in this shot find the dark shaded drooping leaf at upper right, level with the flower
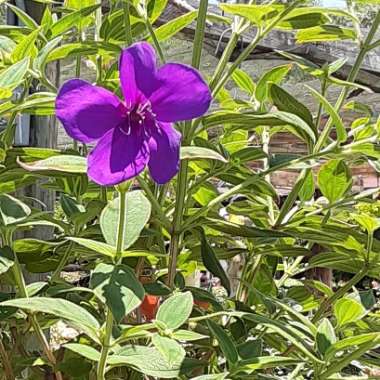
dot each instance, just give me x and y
(288, 103)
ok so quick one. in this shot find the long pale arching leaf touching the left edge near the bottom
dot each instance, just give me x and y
(60, 308)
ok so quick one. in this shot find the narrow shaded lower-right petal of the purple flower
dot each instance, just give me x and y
(164, 146)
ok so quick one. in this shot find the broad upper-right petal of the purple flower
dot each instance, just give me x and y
(182, 94)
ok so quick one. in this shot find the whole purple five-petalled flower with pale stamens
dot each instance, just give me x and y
(138, 131)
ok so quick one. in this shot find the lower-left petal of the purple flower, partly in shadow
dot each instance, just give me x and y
(117, 158)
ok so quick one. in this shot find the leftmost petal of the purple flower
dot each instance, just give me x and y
(87, 112)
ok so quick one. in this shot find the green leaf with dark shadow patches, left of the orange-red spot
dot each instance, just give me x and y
(118, 287)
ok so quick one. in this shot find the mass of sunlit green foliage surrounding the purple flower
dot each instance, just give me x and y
(278, 322)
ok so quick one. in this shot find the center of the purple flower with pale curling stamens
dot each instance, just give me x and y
(135, 118)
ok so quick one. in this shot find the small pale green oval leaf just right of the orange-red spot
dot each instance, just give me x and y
(175, 311)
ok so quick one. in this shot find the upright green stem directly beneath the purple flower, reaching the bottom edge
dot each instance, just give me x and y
(106, 344)
